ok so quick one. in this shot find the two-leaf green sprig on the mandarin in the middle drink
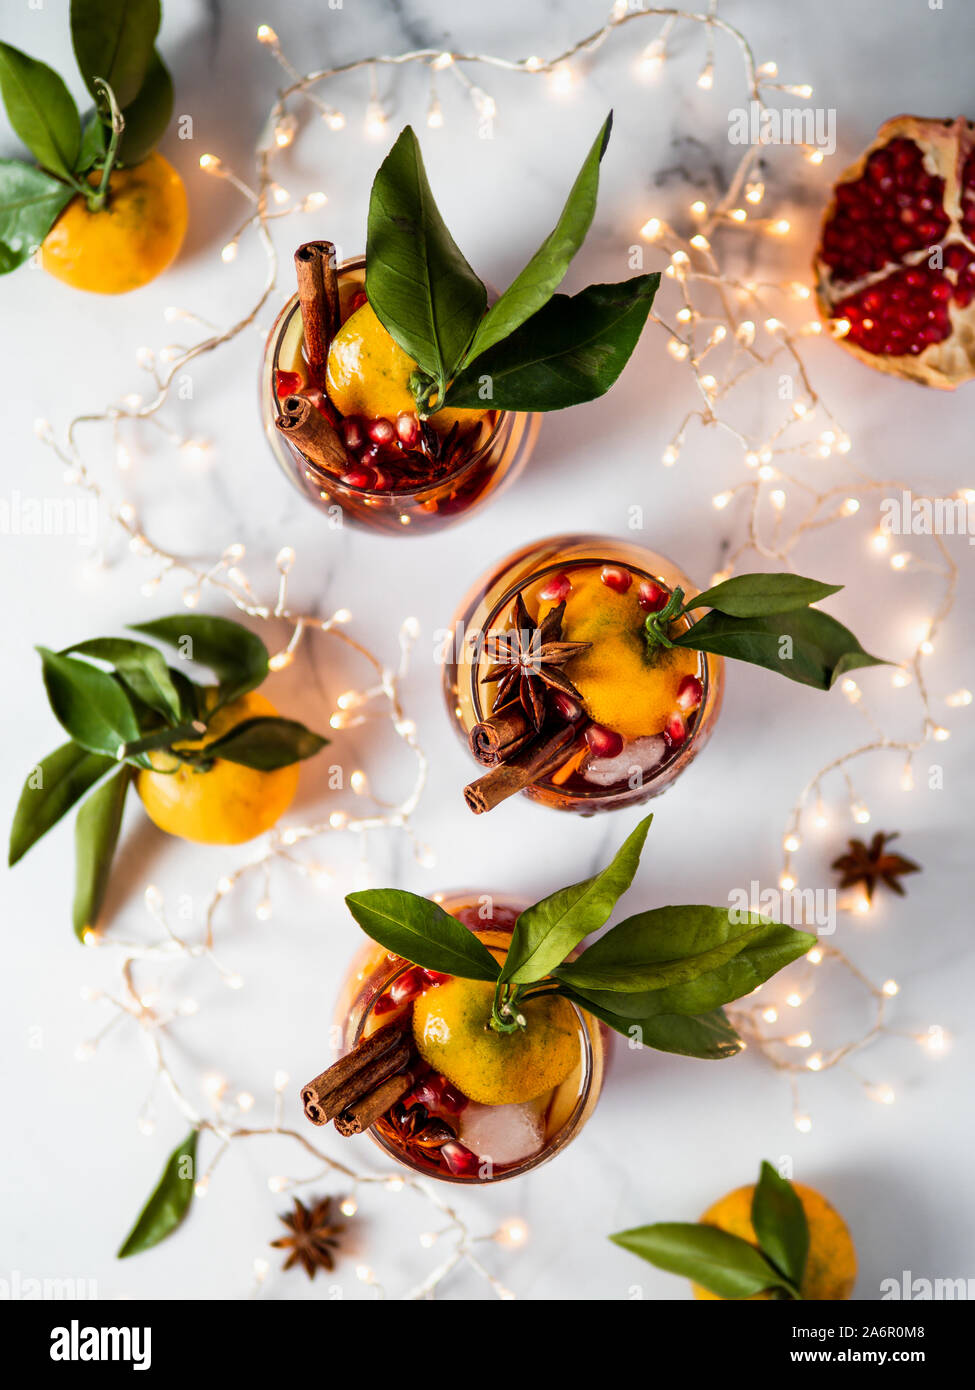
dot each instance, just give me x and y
(768, 621)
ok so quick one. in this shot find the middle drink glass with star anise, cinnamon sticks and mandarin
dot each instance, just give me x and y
(556, 690)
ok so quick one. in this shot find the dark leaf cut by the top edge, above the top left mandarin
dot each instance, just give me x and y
(113, 40)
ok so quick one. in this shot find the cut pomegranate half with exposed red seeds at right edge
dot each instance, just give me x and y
(896, 259)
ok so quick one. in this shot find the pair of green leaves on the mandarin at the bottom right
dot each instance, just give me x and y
(725, 1264)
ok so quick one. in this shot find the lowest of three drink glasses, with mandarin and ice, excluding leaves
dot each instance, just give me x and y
(481, 1107)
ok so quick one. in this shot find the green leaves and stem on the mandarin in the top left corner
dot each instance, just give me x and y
(115, 45)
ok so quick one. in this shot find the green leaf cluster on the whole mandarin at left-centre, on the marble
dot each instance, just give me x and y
(118, 718)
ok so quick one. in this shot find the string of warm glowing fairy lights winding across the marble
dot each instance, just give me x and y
(727, 332)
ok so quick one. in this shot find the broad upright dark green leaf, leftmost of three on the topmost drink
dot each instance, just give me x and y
(424, 291)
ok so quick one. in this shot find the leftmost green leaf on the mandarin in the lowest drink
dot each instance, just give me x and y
(419, 931)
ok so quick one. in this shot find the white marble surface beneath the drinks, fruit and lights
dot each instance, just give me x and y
(670, 1135)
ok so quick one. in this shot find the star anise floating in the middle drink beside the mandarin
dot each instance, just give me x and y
(529, 660)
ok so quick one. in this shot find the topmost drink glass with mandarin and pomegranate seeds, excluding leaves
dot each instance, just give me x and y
(390, 472)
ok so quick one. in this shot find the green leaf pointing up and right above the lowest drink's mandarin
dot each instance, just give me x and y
(546, 933)
